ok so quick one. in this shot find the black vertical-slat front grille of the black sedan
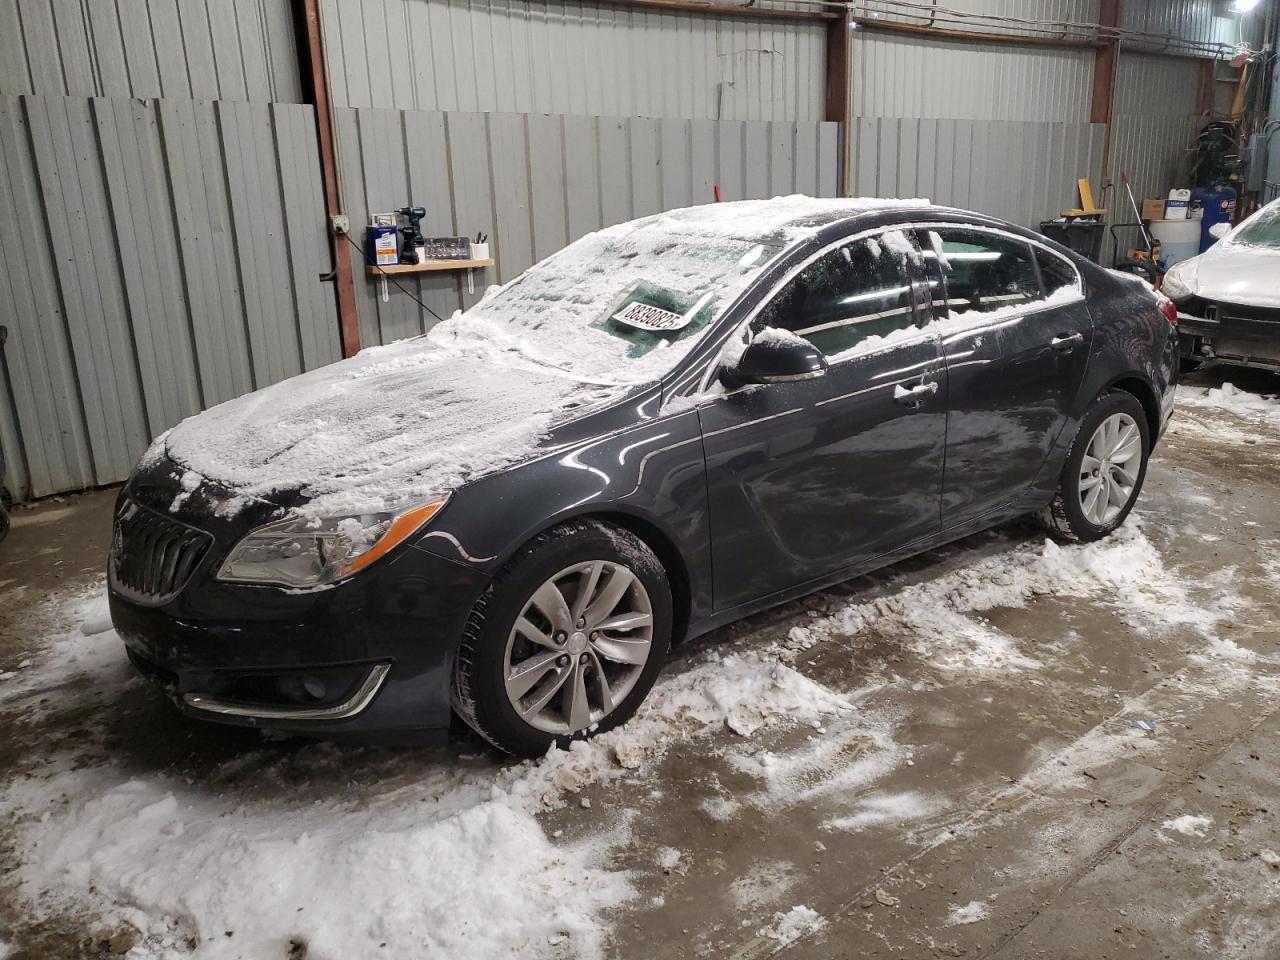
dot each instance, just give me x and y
(153, 557)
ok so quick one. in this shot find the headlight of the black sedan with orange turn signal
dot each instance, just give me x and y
(303, 552)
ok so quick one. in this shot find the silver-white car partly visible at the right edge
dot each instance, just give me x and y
(1229, 296)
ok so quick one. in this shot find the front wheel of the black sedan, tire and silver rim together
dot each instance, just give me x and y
(568, 642)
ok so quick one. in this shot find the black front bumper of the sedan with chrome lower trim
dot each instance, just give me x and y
(369, 657)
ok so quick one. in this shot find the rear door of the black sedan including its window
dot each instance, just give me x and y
(1016, 336)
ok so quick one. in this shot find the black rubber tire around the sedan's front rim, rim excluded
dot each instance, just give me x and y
(479, 676)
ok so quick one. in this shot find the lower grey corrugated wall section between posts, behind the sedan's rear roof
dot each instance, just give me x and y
(1022, 172)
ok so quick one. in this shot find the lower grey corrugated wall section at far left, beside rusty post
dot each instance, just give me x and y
(179, 269)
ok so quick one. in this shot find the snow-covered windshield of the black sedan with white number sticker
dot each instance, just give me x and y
(623, 305)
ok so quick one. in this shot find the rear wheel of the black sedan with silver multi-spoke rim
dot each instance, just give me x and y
(1105, 470)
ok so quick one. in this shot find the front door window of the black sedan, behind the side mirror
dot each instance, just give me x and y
(849, 296)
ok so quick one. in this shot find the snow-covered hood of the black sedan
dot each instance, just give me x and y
(408, 422)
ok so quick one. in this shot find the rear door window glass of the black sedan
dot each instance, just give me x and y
(984, 271)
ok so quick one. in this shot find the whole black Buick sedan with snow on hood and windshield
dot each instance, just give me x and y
(666, 427)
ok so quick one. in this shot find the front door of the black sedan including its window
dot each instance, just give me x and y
(813, 477)
